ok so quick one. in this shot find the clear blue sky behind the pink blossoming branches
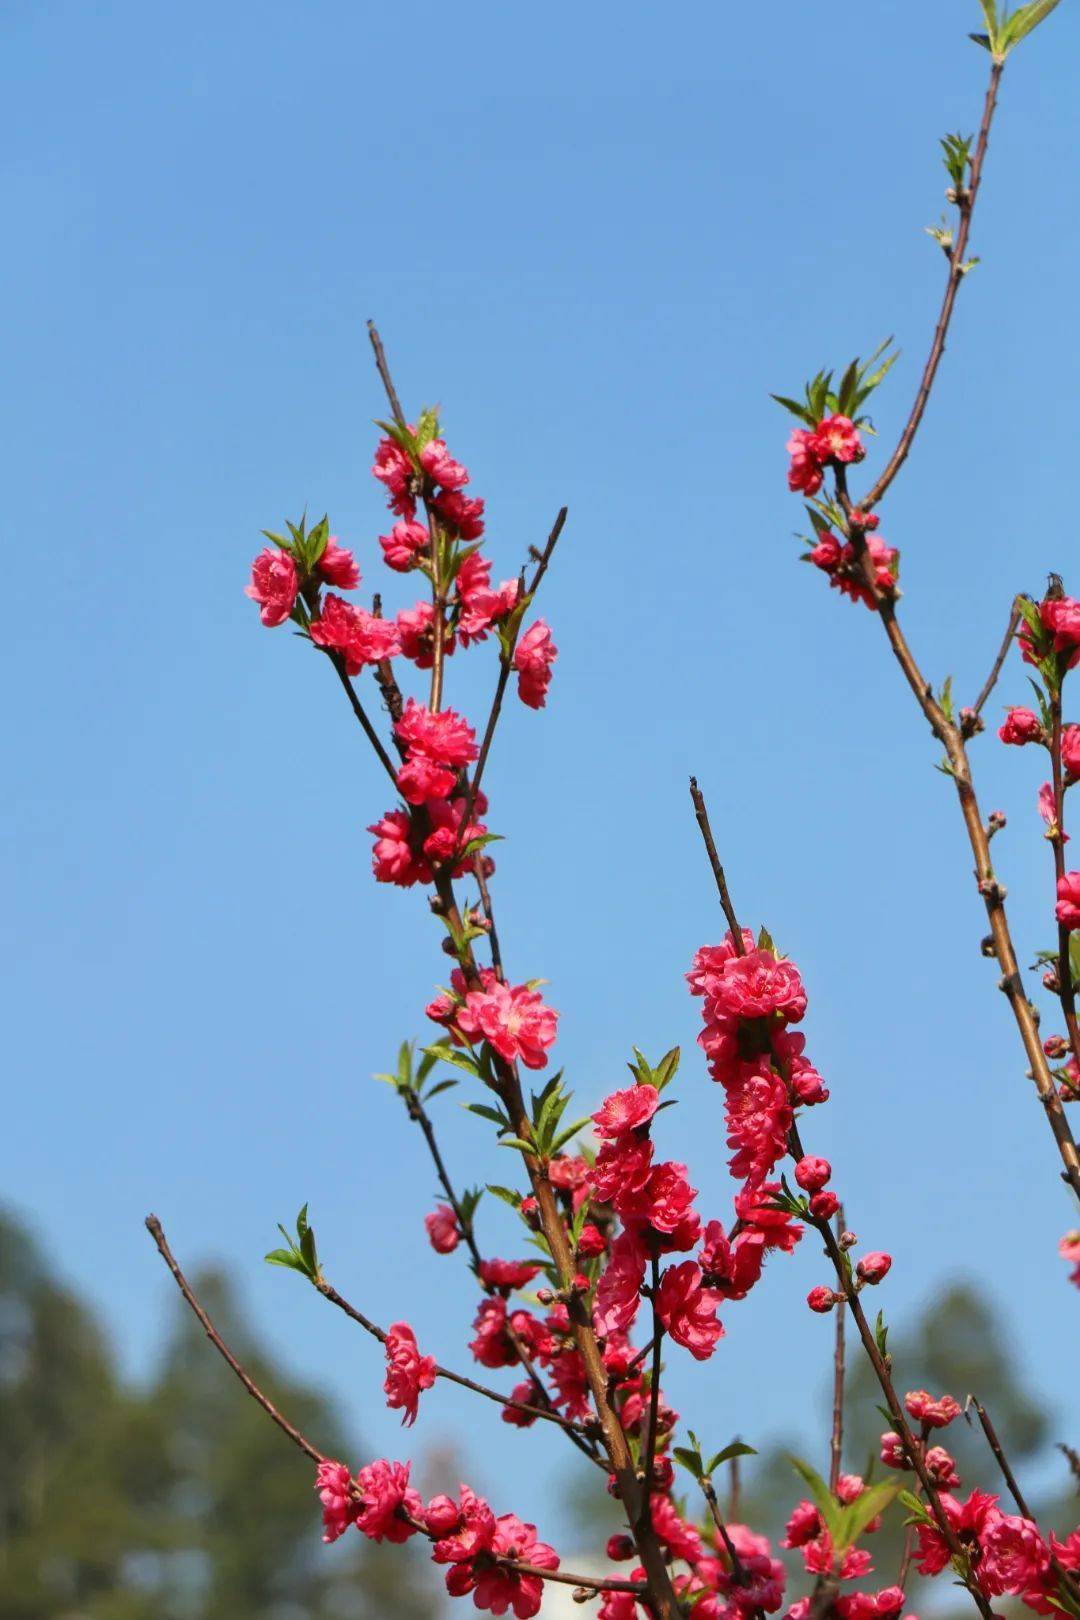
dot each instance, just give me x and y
(600, 236)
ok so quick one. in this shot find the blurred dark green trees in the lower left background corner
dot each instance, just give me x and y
(172, 1503)
